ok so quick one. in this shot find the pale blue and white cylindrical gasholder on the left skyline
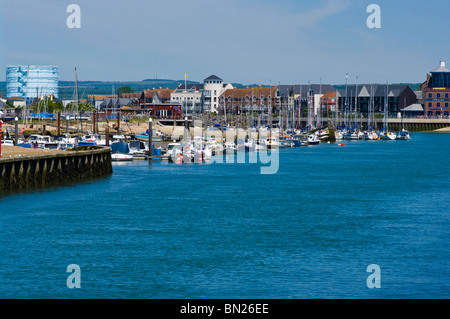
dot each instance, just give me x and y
(31, 81)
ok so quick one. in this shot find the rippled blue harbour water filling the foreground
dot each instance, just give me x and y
(226, 231)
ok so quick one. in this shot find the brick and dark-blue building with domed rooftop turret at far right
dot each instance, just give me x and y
(436, 92)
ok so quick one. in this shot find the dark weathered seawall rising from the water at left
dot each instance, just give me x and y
(55, 169)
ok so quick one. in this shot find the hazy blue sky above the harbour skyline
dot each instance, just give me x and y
(251, 41)
